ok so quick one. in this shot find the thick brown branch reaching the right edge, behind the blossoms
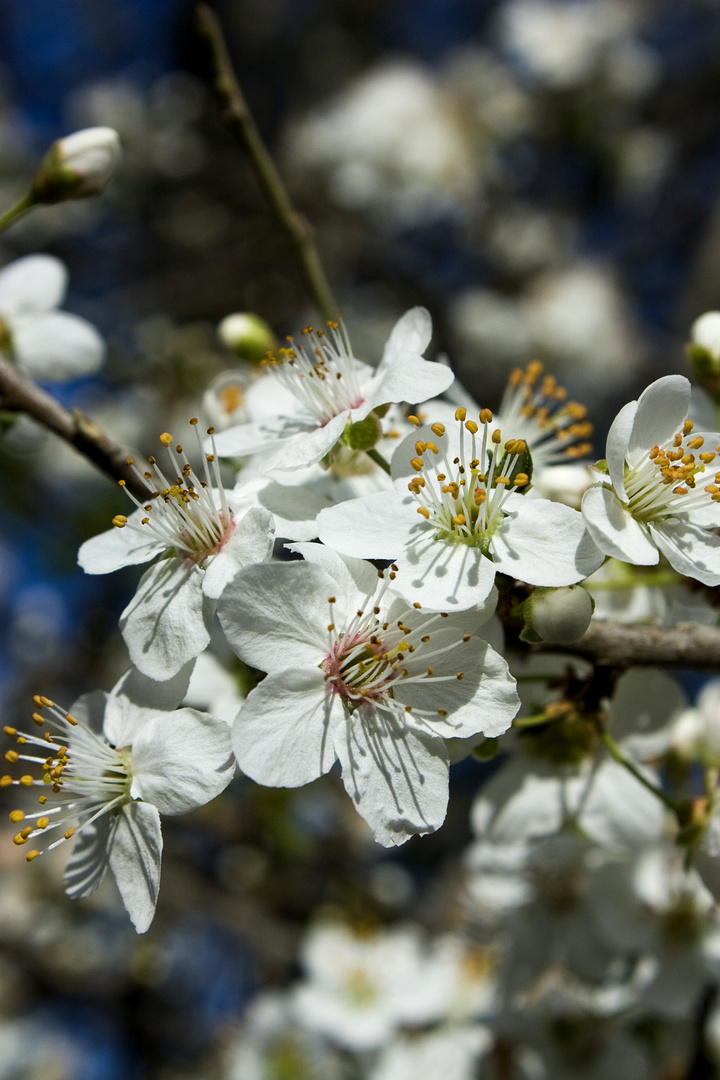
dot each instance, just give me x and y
(627, 644)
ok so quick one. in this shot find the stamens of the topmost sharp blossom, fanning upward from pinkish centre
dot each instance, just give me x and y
(322, 372)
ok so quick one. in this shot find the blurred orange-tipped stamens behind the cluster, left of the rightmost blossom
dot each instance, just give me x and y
(554, 428)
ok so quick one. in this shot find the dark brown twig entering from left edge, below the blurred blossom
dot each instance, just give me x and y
(20, 395)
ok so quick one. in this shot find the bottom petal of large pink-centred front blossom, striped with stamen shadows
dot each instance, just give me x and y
(397, 779)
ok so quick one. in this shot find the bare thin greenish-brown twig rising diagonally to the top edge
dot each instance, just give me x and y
(238, 117)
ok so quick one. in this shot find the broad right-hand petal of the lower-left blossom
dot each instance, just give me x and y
(182, 762)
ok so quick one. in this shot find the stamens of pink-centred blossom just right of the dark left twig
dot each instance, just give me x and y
(182, 511)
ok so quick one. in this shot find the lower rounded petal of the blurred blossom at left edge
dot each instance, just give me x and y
(59, 347)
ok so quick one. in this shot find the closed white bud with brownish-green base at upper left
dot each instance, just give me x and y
(78, 166)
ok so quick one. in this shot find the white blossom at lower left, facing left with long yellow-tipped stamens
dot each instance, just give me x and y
(110, 769)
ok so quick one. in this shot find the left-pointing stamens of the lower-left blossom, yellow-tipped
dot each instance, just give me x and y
(81, 777)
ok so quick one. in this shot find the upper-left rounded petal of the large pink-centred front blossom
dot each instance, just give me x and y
(275, 615)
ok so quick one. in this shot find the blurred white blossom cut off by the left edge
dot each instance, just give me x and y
(48, 345)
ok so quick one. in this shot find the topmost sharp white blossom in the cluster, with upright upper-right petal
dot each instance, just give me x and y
(322, 387)
